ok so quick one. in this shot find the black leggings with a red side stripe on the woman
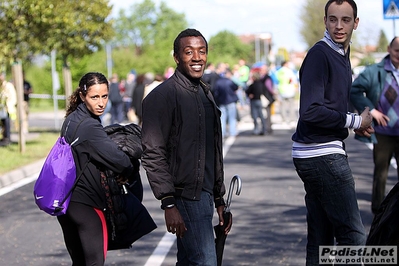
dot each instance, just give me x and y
(85, 234)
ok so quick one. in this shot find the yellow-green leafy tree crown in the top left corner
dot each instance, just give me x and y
(73, 28)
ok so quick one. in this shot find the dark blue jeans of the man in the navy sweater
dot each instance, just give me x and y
(332, 209)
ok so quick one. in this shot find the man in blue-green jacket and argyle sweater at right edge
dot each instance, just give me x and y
(377, 87)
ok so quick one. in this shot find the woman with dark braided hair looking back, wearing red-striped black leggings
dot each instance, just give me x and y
(84, 224)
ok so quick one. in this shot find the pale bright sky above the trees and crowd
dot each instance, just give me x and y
(280, 18)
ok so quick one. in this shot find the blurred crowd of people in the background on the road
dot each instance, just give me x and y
(235, 88)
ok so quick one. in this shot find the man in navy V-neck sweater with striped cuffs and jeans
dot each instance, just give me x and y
(318, 150)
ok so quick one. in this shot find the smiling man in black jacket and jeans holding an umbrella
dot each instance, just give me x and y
(182, 152)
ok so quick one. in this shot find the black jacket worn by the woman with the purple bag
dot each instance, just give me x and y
(92, 147)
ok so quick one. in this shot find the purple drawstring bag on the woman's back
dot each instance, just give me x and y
(53, 187)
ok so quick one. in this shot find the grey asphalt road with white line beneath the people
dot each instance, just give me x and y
(269, 214)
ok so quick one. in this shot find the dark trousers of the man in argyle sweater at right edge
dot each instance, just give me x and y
(386, 147)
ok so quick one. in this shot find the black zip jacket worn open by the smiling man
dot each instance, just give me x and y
(173, 139)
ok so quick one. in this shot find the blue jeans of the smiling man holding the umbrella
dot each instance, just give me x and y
(197, 247)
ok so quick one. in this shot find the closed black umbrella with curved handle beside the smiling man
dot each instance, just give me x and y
(219, 229)
